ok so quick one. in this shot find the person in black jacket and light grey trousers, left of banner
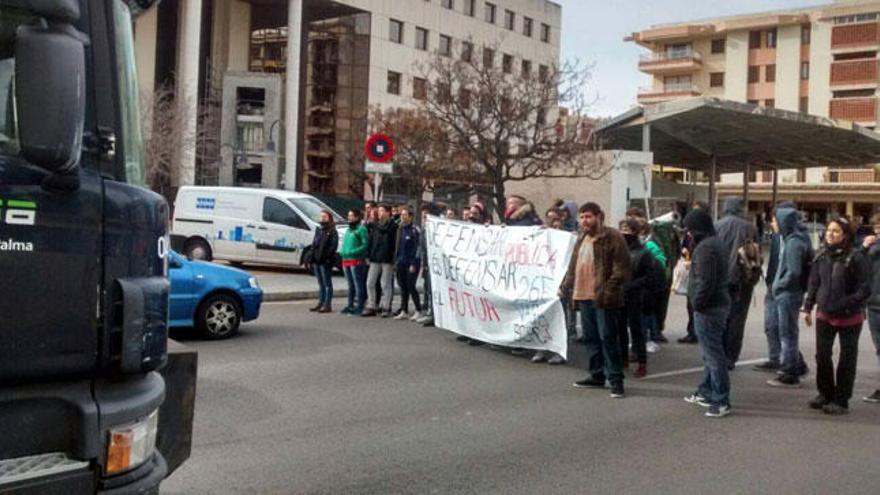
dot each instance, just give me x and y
(381, 258)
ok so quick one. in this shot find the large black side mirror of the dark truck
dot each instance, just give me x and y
(50, 95)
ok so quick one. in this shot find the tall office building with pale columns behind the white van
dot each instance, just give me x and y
(332, 61)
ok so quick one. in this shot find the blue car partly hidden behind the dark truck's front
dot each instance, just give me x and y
(212, 298)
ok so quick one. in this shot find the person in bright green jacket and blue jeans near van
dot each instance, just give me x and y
(354, 262)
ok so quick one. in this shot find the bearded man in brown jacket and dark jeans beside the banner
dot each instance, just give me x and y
(596, 275)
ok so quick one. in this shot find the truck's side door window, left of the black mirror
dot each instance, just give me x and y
(10, 19)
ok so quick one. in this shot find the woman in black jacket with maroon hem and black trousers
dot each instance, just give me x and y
(839, 288)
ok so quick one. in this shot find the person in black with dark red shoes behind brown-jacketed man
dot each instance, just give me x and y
(646, 278)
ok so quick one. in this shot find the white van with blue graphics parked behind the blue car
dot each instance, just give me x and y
(242, 225)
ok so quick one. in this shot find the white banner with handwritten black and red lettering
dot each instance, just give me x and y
(499, 284)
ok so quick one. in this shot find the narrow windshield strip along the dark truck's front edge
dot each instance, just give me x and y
(132, 139)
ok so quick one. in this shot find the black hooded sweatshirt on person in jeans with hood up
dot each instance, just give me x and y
(708, 280)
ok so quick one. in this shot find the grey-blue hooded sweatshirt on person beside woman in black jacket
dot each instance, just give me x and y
(794, 257)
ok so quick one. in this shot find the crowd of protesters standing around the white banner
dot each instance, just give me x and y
(619, 282)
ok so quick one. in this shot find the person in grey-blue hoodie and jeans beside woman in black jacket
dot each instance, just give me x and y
(789, 283)
